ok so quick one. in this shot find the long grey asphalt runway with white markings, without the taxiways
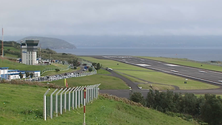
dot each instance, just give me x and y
(203, 75)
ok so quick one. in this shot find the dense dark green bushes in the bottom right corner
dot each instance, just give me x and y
(207, 108)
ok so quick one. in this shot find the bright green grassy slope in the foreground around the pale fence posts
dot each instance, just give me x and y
(23, 105)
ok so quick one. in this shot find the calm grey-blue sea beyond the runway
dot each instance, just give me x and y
(197, 54)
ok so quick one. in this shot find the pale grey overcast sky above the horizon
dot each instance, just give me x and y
(110, 17)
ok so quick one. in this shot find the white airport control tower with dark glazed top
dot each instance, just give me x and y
(29, 50)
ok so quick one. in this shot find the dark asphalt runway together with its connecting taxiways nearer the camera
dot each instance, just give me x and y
(207, 76)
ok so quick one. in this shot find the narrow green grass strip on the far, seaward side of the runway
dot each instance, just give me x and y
(186, 62)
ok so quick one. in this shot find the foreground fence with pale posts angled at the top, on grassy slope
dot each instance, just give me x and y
(60, 101)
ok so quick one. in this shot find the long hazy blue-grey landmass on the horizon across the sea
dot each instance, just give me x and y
(144, 41)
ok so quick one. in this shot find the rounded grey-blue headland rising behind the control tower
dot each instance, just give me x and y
(51, 43)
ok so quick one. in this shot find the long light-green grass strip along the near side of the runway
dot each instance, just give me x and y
(152, 76)
